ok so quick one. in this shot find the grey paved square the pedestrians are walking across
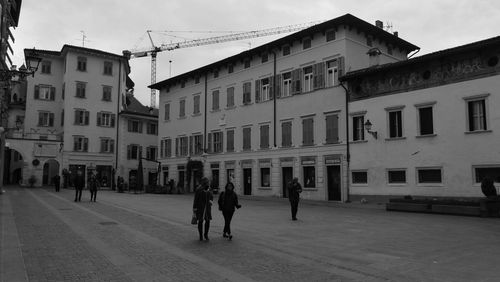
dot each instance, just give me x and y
(143, 237)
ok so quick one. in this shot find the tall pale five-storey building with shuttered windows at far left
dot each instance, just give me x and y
(71, 112)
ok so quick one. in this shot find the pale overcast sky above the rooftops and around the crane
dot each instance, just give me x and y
(116, 25)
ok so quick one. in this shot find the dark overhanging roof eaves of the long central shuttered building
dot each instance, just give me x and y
(346, 19)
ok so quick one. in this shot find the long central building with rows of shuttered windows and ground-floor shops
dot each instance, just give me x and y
(272, 113)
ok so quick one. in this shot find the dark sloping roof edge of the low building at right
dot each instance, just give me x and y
(424, 58)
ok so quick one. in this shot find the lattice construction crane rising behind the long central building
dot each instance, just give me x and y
(153, 51)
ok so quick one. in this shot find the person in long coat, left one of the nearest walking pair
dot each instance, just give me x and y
(202, 204)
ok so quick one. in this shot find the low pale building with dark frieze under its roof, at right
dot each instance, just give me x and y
(436, 123)
